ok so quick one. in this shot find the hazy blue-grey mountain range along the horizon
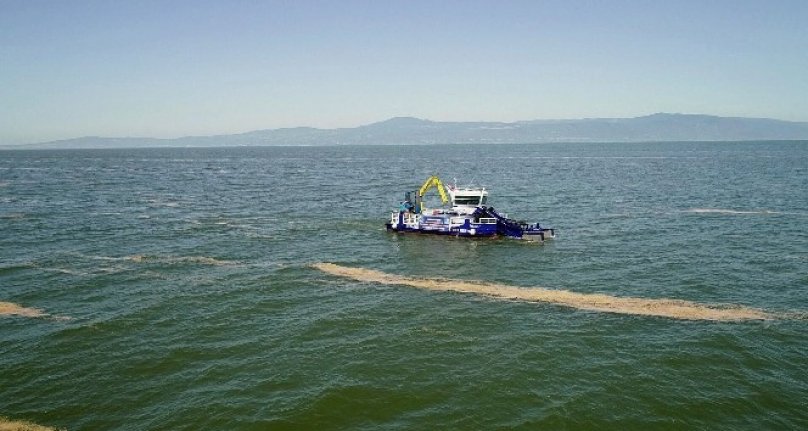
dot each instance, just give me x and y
(406, 130)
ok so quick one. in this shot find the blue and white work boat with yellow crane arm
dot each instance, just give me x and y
(463, 213)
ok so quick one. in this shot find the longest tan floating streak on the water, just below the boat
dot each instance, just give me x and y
(670, 308)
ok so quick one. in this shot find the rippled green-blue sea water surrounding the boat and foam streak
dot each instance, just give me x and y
(180, 289)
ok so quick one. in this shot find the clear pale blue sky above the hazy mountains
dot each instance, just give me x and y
(164, 68)
